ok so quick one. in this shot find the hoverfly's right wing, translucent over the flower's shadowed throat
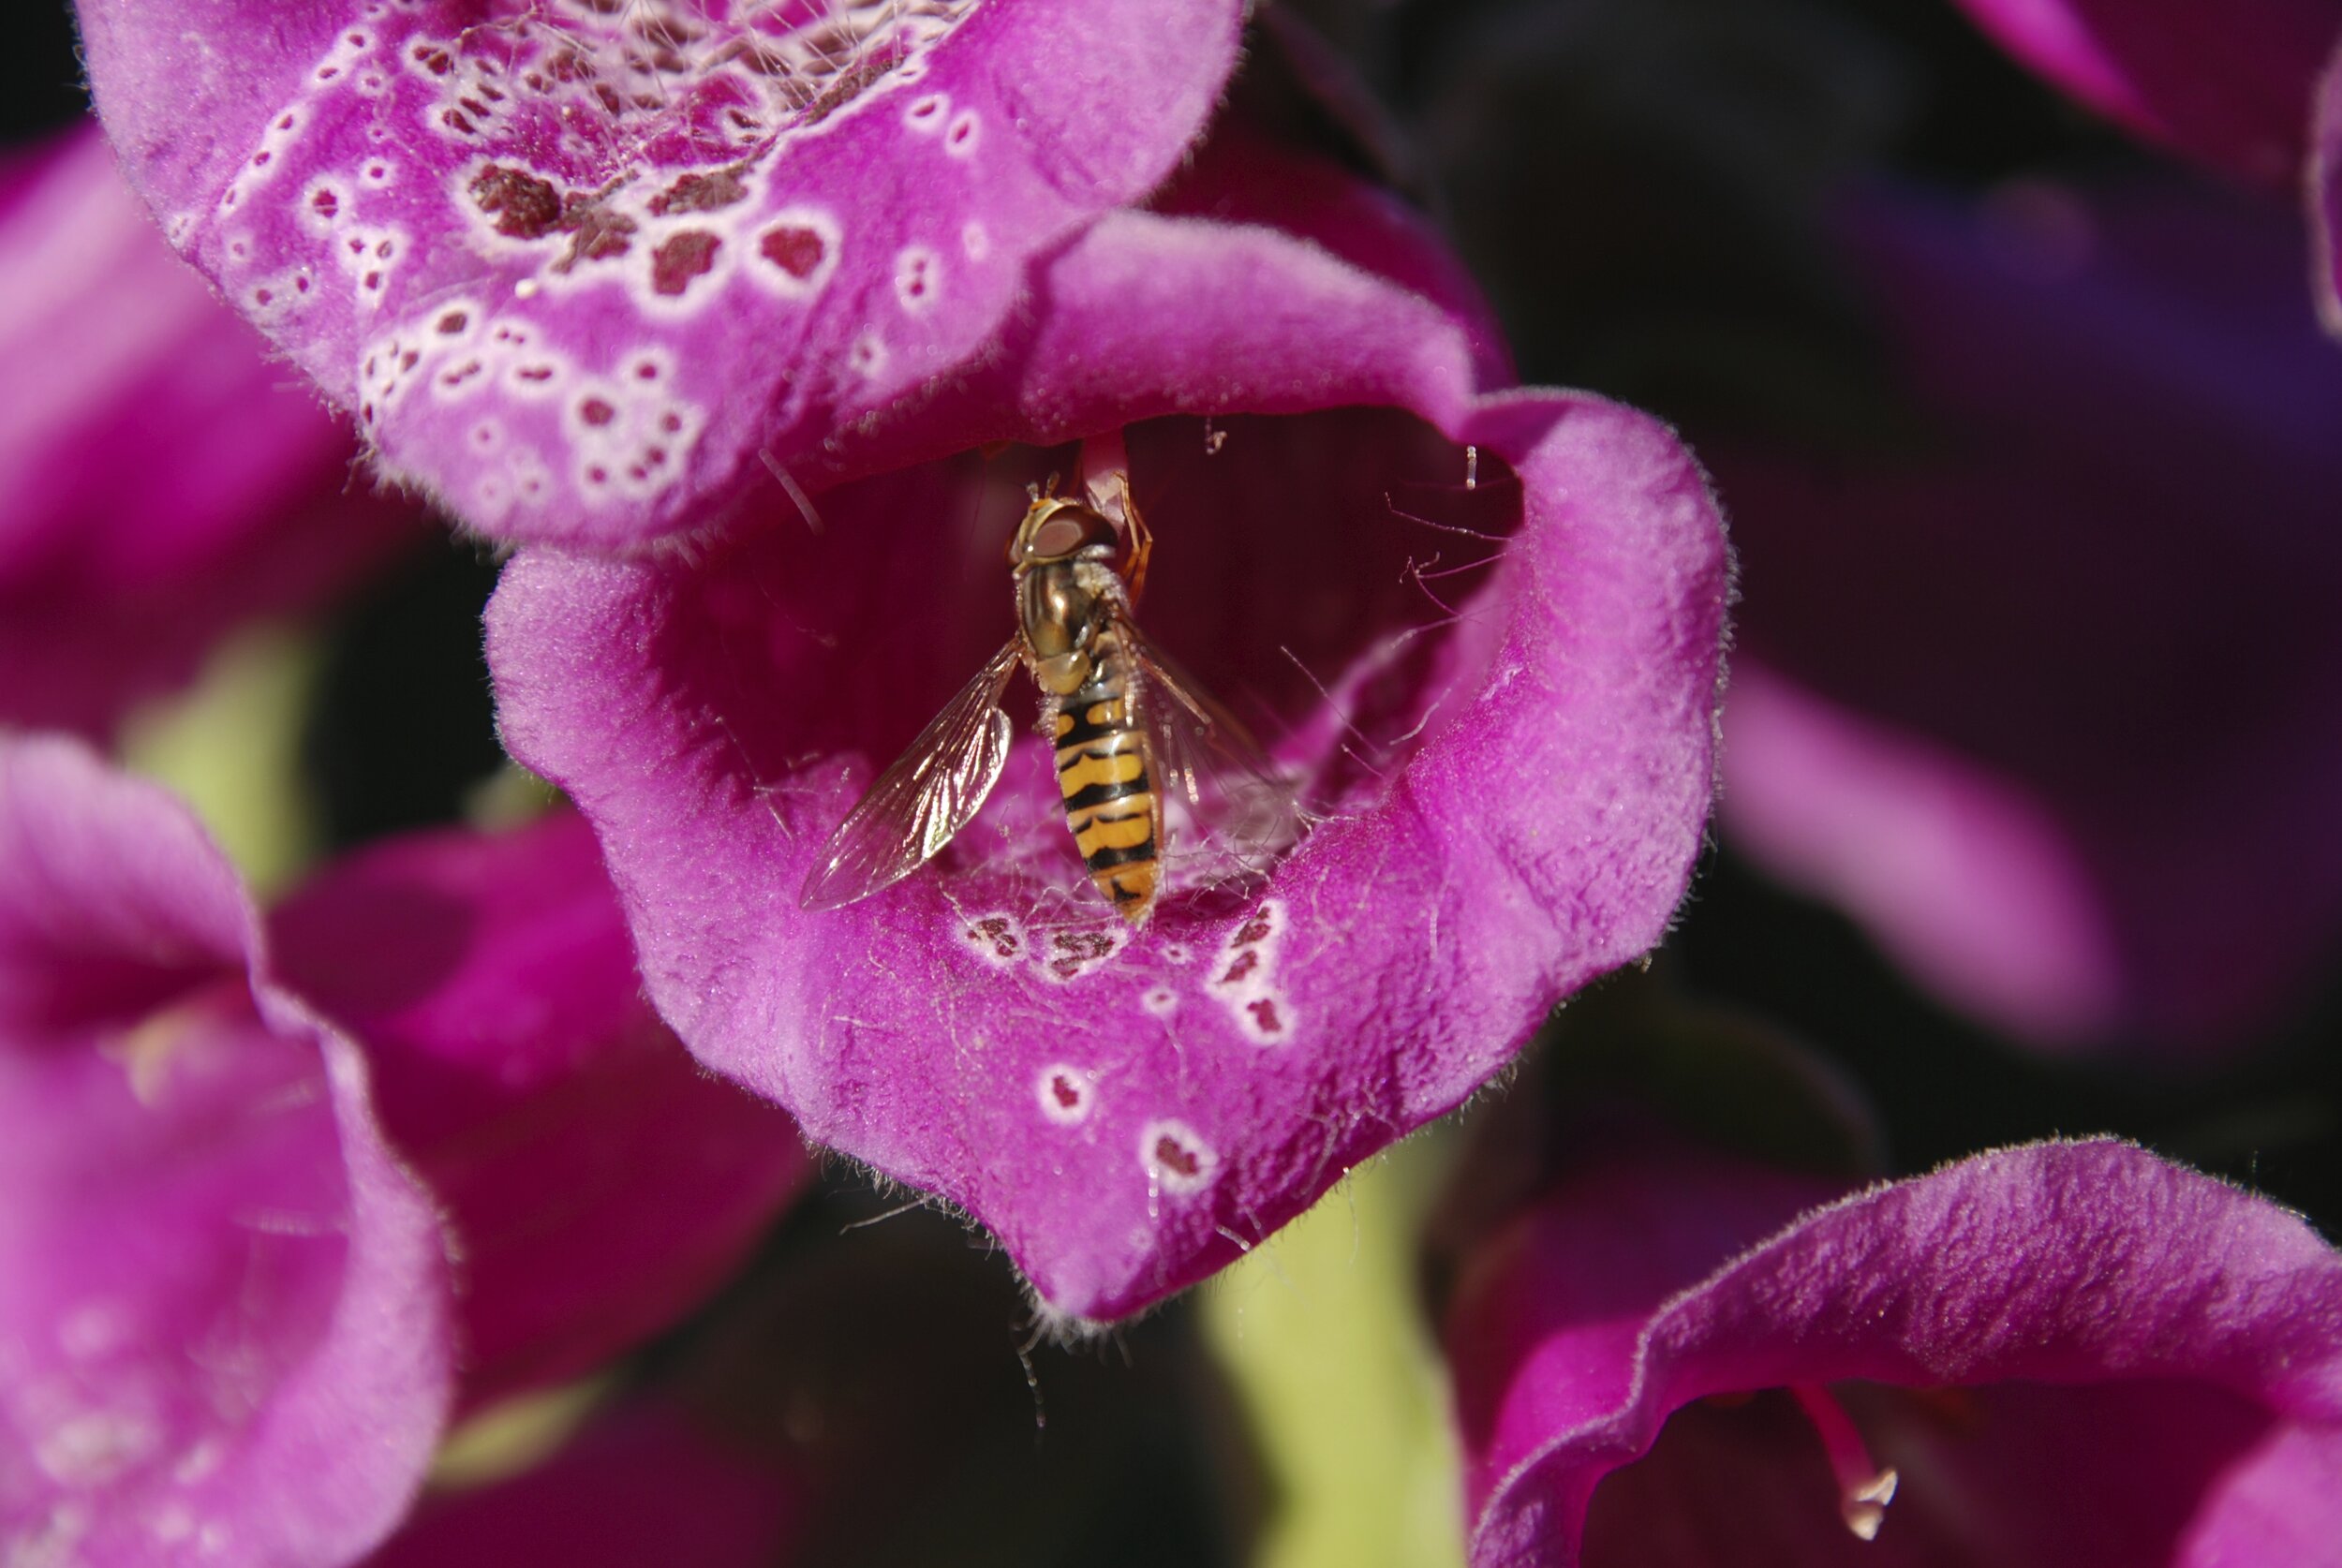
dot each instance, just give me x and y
(1207, 759)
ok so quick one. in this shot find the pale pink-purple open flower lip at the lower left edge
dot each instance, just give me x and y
(224, 1300)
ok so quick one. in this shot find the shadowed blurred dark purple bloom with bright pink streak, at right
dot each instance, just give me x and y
(2043, 687)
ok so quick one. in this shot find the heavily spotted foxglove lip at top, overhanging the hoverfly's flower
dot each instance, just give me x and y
(580, 268)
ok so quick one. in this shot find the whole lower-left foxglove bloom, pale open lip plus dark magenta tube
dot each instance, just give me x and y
(228, 1309)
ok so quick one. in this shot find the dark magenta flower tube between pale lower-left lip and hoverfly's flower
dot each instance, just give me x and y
(594, 1181)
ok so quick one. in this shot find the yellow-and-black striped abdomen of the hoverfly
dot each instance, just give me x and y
(1102, 769)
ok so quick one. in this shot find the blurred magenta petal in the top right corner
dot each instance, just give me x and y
(2224, 83)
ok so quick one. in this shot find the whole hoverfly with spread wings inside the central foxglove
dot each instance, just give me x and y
(1132, 731)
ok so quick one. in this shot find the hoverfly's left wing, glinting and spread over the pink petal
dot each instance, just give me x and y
(924, 799)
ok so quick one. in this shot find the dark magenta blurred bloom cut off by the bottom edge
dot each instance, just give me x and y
(636, 1487)
